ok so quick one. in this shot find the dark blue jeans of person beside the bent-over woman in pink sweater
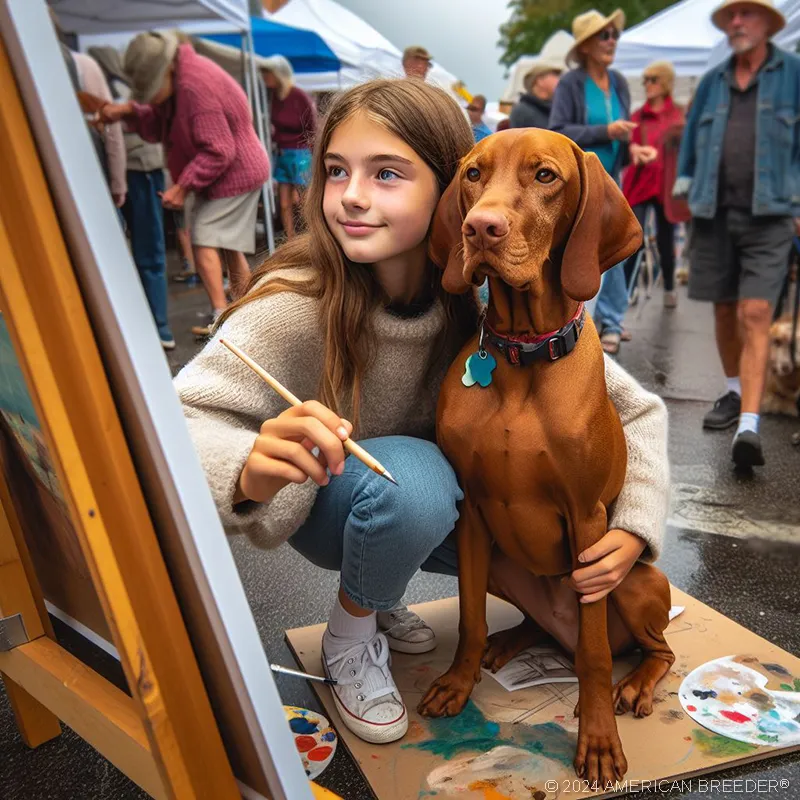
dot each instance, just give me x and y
(144, 215)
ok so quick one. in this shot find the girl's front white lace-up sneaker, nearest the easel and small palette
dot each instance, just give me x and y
(365, 695)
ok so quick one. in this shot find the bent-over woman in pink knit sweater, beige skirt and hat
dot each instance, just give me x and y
(202, 117)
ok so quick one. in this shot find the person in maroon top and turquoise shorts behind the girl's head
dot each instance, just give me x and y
(294, 120)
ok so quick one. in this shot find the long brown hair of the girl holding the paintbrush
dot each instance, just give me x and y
(433, 125)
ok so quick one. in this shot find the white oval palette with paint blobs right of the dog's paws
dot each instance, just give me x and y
(730, 696)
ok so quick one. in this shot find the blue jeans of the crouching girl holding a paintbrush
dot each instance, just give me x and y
(377, 534)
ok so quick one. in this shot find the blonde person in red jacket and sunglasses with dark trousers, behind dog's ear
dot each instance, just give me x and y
(643, 181)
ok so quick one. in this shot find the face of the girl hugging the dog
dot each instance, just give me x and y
(379, 194)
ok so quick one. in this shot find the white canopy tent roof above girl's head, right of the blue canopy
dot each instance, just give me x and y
(364, 52)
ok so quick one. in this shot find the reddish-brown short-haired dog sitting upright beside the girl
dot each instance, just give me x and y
(540, 451)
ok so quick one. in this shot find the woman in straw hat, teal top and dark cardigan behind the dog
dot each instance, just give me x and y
(592, 106)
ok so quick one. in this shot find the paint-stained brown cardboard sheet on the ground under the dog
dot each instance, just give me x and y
(508, 745)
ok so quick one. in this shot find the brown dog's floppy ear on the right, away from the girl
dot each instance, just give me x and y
(605, 230)
